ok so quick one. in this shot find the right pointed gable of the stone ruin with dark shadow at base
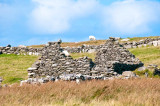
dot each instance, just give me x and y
(114, 57)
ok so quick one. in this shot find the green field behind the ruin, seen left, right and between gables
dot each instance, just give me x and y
(14, 67)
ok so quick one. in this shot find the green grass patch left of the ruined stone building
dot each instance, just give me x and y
(14, 67)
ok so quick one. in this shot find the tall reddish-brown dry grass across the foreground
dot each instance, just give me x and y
(133, 92)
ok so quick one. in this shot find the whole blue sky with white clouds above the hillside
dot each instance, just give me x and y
(30, 22)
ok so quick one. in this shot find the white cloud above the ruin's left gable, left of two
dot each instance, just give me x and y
(54, 16)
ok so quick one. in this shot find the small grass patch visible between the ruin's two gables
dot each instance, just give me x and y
(78, 55)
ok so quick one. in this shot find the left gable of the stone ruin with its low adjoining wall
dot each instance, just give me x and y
(53, 62)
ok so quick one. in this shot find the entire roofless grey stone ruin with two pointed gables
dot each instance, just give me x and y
(111, 60)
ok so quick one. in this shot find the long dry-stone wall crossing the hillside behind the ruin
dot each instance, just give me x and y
(80, 49)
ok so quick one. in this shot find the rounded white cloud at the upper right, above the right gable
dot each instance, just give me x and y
(131, 16)
